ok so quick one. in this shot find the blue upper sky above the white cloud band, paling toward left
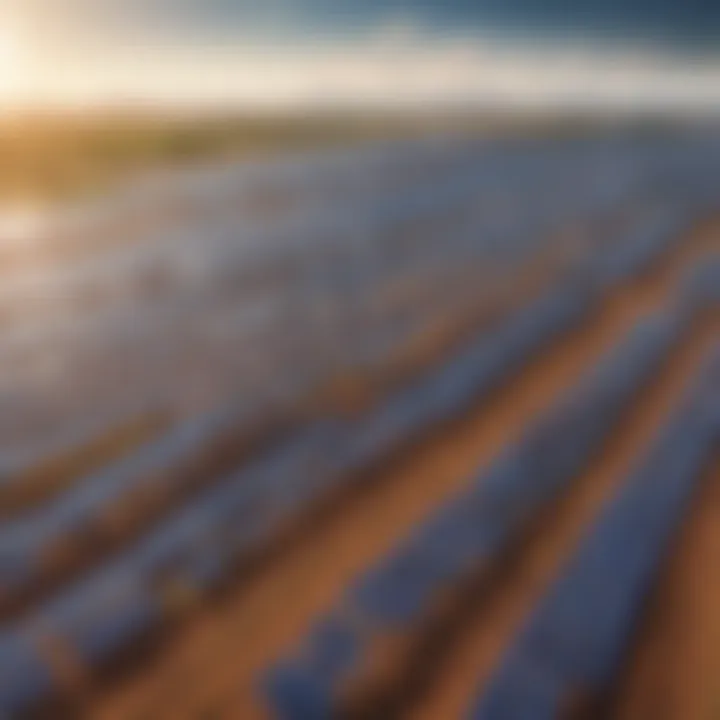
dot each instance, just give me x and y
(671, 23)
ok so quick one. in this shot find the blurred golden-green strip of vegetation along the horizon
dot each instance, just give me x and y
(52, 156)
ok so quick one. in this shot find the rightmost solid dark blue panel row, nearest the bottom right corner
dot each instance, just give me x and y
(578, 635)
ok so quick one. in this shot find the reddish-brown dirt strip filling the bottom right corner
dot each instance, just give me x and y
(675, 672)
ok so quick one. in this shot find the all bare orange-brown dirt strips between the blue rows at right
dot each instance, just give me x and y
(210, 667)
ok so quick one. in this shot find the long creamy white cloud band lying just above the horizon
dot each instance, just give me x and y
(398, 63)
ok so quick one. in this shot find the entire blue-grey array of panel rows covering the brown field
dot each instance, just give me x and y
(180, 397)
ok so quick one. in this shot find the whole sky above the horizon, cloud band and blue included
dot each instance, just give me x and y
(605, 53)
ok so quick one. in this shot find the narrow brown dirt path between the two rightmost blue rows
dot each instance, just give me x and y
(460, 677)
